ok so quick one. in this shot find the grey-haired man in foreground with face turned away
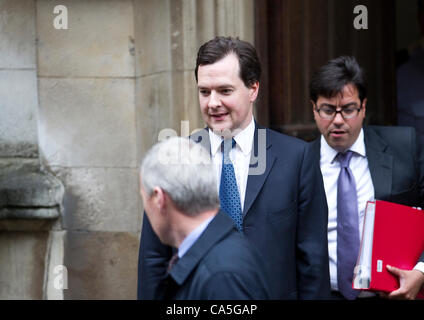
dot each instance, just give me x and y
(178, 188)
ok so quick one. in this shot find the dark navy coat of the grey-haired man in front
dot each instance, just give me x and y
(221, 265)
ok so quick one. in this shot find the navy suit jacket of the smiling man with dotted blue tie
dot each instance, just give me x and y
(284, 216)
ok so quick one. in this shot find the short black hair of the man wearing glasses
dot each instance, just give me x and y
(332, 77)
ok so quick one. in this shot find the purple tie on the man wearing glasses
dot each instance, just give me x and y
(347, 227)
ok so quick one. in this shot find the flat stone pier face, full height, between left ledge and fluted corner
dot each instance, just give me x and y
(87, 134)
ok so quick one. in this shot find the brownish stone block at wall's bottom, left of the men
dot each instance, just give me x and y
(101, 265)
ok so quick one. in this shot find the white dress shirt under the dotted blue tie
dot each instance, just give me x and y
(239, 155)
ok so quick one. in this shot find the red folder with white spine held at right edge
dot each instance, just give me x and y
(397, 240)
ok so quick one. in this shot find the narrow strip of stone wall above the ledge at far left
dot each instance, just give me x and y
(18, 80)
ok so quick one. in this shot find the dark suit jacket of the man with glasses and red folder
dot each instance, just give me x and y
(396, 163)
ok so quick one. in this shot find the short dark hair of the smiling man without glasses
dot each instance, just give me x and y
(219, 47)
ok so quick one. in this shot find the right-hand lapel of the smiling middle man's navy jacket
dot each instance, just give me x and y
(255, 181)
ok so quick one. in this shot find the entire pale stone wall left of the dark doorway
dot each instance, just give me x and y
(92, 99)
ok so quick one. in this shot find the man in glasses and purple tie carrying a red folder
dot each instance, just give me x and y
(384, 163)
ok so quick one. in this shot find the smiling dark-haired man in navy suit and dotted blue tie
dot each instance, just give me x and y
(271, 187)
